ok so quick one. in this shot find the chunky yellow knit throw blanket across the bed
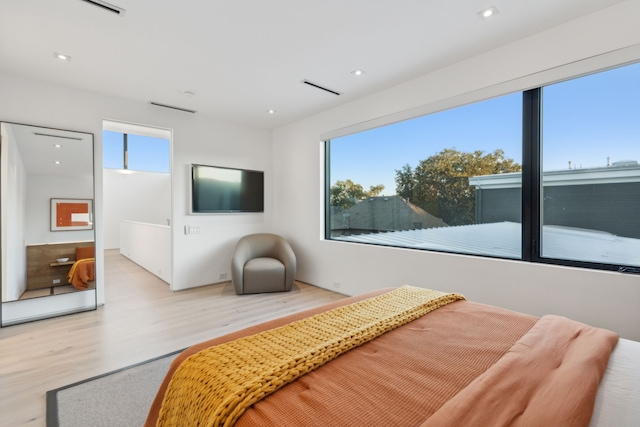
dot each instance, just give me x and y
(216, 385)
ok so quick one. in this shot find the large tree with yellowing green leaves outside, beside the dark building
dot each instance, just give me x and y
(440, 183)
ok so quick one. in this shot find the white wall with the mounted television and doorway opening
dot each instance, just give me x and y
(197, 259)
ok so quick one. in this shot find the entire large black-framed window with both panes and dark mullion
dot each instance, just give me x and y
(548, 175)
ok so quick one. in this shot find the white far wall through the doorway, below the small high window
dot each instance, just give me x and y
(136, 196)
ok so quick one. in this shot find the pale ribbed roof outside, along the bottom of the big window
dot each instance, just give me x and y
(503, 239)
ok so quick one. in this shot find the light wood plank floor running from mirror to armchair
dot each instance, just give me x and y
(141, 319)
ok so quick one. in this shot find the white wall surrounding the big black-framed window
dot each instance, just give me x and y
(605, 299)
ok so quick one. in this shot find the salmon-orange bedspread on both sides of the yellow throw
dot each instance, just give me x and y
(407, 376)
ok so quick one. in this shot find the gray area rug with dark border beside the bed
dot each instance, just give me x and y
(117, 399)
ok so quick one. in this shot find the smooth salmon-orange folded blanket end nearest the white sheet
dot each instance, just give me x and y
(549, 377)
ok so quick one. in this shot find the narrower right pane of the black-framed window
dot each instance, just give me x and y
(590, 196)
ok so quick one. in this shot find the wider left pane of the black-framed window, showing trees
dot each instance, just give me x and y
(418, 183)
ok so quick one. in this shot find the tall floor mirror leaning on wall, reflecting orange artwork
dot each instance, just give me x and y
(46, 194)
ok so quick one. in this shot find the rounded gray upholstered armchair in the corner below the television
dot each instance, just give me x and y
(263, 262)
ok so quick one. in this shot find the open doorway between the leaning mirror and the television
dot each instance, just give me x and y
(137, 195)
